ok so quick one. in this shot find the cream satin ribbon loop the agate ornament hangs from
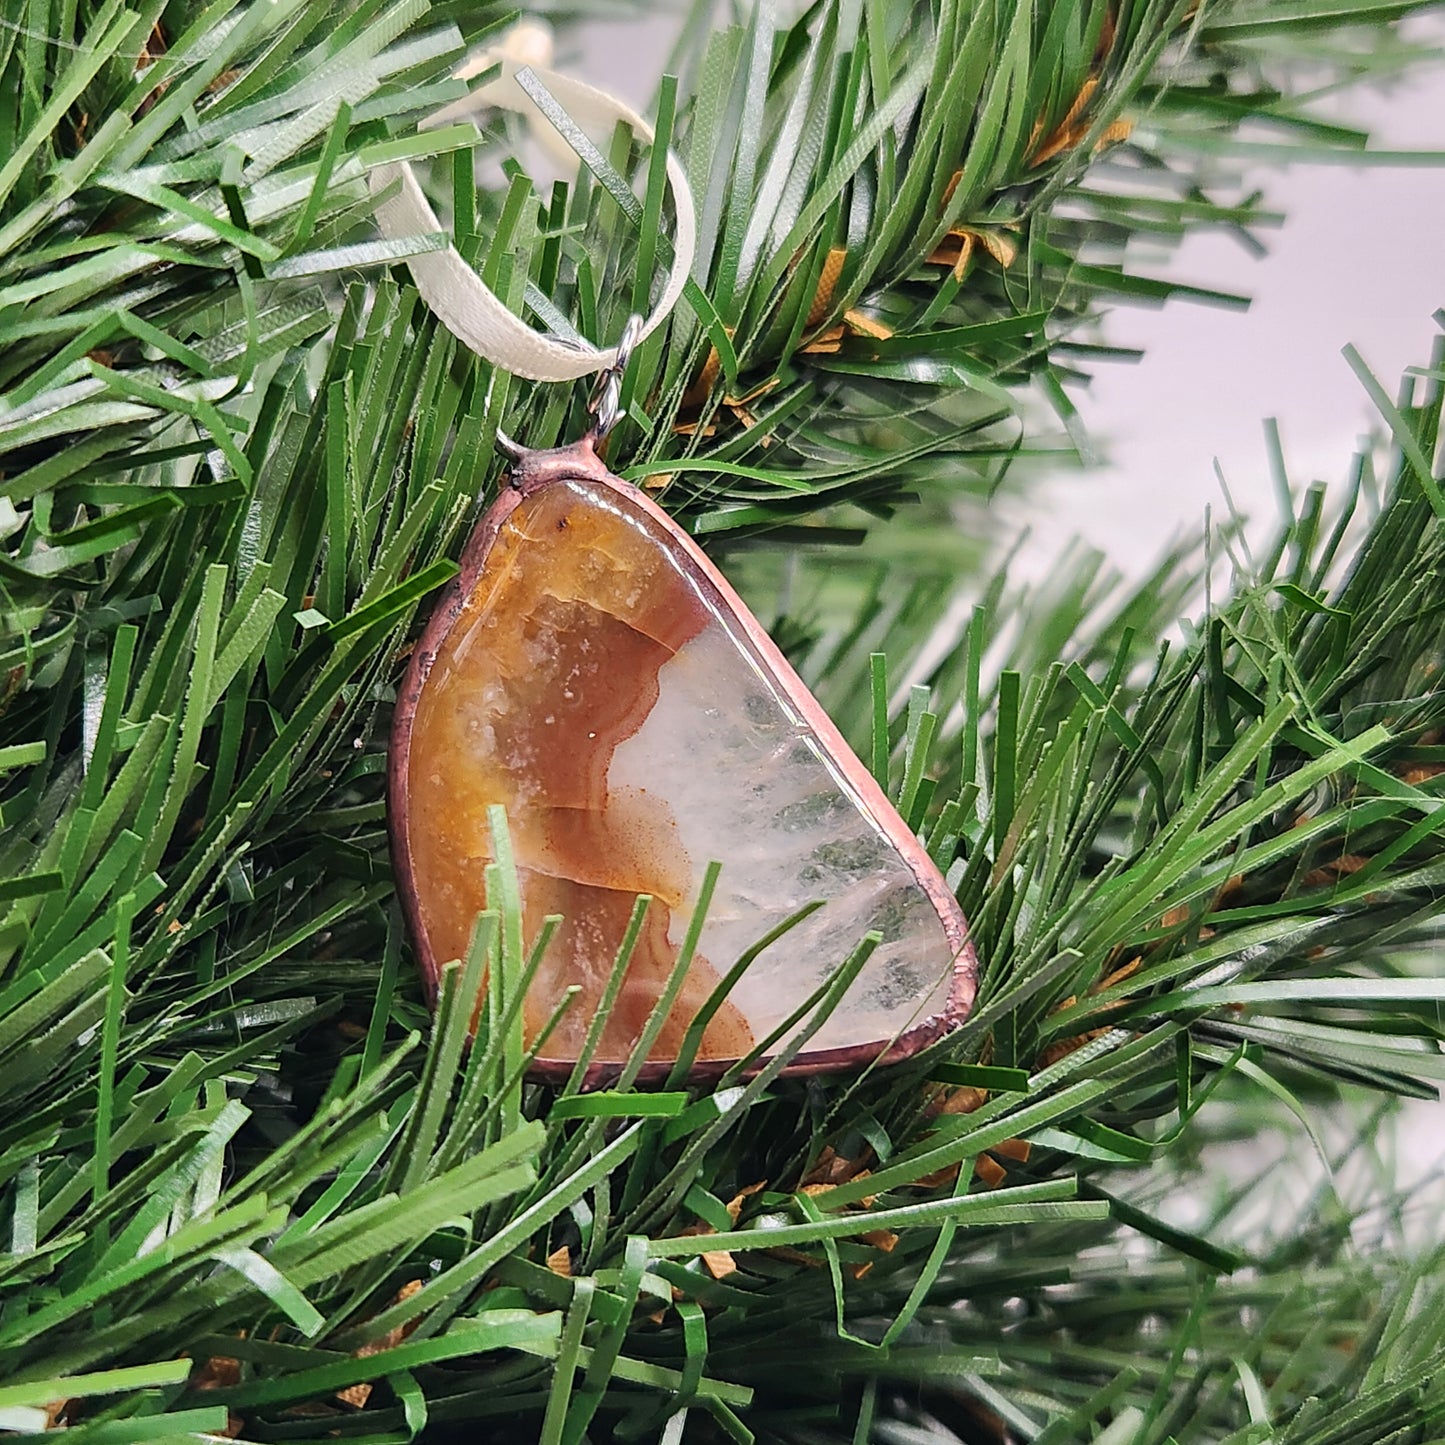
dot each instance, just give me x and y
(462, 301)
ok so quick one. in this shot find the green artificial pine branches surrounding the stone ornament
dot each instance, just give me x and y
(252, 1186)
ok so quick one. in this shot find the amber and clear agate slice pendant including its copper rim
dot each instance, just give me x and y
(595, 674)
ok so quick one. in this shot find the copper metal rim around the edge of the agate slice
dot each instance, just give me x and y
(531, 473)
